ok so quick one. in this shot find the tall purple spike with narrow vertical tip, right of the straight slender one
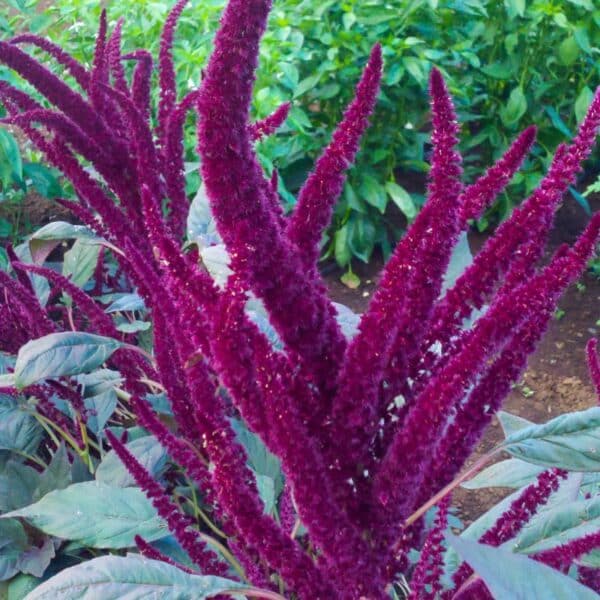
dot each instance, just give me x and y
(409, 286)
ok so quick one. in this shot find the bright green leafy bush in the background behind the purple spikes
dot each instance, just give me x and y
(507, 64)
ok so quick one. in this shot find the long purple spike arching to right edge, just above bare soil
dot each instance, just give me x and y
(408, 457)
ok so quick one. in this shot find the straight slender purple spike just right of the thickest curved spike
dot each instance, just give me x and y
(321, 190)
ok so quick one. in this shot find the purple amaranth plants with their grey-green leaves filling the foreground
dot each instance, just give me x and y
(310, 444)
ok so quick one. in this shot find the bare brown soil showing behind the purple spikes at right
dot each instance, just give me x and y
(556, 380)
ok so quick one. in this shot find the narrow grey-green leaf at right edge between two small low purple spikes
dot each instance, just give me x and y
(559, 525)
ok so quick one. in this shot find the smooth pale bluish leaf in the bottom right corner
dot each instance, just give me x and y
(520, 578)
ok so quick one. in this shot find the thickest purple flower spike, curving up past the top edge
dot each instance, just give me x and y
(236, 189)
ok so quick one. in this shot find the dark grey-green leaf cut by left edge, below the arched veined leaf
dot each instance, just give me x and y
(19, 430)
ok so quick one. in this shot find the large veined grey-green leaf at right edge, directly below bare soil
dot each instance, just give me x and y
(570, 441)
